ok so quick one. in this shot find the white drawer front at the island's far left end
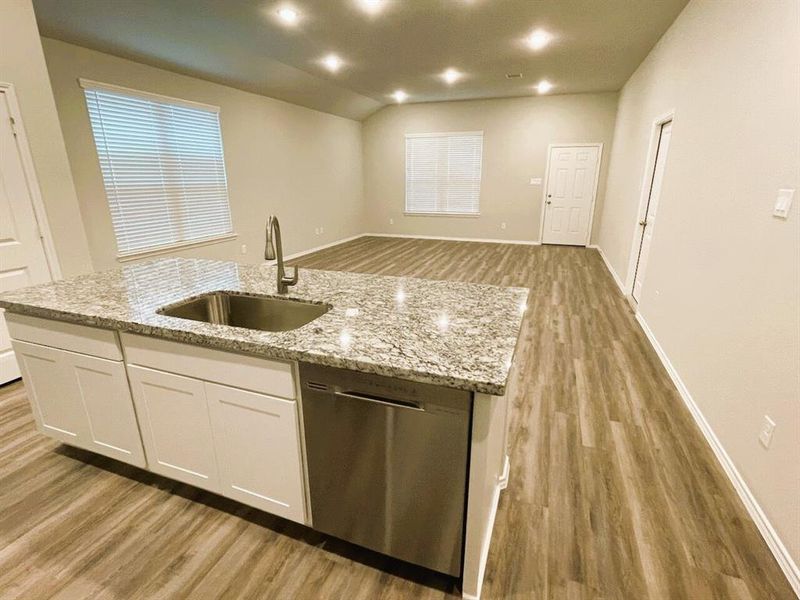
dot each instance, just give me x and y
(93, 341)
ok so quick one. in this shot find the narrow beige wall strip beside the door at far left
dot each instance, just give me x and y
(22, 64)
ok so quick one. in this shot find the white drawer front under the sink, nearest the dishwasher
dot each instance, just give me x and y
(267, 376)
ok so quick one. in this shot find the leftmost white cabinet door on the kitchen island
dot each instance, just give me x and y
(54, 397)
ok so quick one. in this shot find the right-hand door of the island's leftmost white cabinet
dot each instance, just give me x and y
(102, 386)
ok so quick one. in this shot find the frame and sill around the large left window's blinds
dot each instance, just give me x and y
(124, 256)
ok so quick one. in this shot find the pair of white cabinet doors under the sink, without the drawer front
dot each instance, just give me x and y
(237, 443)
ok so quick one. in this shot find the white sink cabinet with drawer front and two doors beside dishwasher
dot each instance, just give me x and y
(225, 422)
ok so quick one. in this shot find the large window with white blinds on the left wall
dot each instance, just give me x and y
(163, 168)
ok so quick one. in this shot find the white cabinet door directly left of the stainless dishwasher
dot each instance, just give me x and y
(258, 447)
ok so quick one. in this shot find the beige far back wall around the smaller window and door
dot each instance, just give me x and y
(517, 132)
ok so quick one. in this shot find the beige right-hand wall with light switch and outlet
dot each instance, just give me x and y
(722, 290)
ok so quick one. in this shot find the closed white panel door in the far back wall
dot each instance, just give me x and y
(570, 194)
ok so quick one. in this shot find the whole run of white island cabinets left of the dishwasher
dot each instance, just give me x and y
(219, 421)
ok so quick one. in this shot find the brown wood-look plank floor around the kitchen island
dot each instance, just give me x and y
(613, 492)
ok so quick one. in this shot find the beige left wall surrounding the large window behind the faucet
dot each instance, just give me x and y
(302, 165)
